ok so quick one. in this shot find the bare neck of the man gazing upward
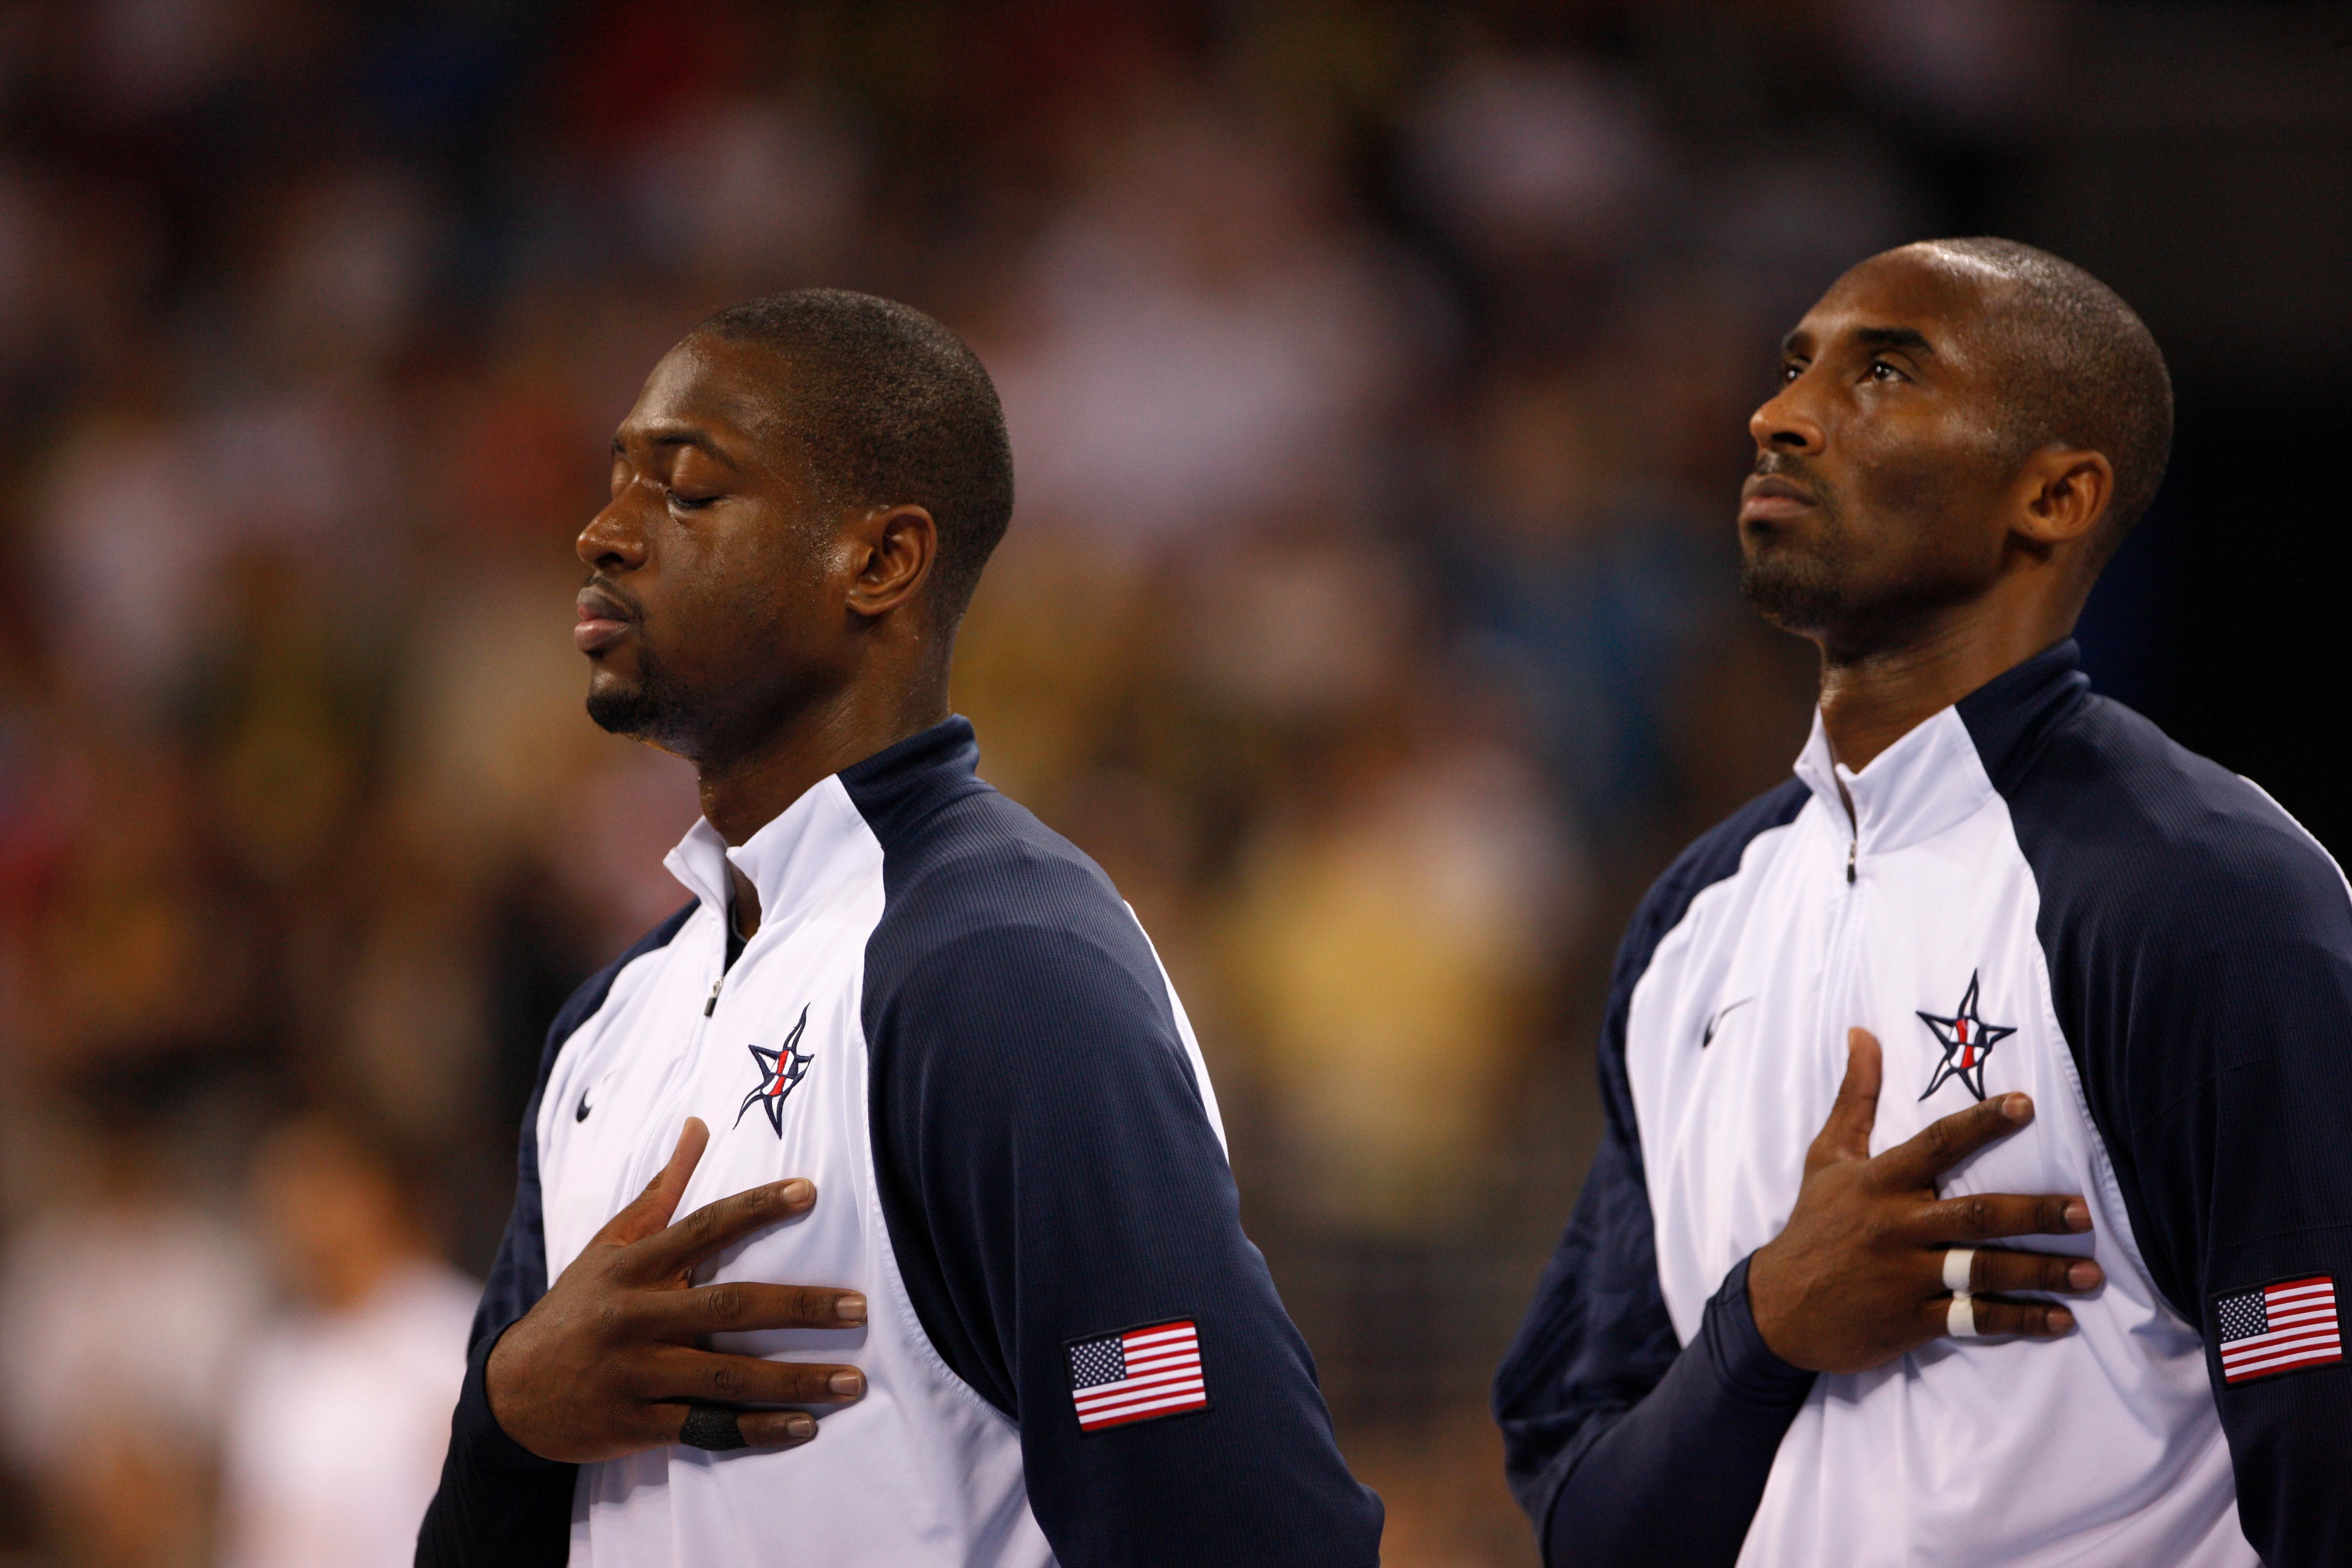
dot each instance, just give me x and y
(1876, 695)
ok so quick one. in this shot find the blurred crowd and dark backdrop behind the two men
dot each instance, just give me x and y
(1379, 380)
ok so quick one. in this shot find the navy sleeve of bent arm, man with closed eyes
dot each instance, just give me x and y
(500, 1506)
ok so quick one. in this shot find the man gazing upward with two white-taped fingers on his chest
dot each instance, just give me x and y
(1977, 1181)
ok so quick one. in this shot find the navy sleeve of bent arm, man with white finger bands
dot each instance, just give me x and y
(1619, 1442)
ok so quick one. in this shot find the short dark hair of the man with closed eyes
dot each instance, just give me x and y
(893, 410)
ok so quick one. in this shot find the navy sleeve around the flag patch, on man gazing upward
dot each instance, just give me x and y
(2200, 953)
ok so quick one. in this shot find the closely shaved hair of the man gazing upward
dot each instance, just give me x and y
(2083, 370)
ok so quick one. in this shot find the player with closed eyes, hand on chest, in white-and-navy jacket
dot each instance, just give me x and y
(961, 1275)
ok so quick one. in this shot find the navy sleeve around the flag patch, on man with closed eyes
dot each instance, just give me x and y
(1050, 1174)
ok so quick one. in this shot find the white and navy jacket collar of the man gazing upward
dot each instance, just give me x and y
(1953, 763)
